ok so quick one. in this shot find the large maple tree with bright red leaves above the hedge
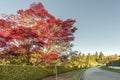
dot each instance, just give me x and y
(35, 29)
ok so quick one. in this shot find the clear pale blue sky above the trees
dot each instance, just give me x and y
(98, 21)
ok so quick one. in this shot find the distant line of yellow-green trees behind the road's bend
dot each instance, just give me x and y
(89, 60)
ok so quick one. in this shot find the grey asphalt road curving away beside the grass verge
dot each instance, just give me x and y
(97, 74)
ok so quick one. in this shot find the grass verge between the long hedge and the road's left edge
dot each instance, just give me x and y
(73, 75)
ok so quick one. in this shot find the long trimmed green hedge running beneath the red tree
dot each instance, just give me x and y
(12, 72)
